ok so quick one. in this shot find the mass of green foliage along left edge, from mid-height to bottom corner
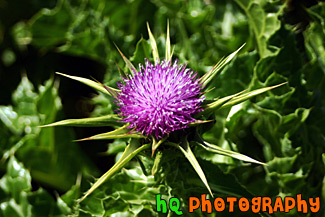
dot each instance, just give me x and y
(46, 153)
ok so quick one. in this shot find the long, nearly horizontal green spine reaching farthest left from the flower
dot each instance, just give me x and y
(107, 120)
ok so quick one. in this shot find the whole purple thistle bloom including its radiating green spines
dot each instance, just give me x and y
(156, 100)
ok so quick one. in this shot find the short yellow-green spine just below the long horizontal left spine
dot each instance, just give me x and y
(121, 132)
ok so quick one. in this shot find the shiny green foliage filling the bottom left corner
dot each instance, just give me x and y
(18, 199)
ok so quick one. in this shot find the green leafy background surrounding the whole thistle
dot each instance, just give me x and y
(43, 171)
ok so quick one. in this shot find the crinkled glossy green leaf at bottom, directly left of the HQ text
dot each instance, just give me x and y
(127, 193)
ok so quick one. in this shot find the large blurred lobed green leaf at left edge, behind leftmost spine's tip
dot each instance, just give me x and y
(42, 150)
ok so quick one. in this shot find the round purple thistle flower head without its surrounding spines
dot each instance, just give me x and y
(160, 98)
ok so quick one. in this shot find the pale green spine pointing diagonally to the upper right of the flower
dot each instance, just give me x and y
(207, 77)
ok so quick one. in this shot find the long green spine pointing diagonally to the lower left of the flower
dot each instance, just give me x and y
(130, 151)
